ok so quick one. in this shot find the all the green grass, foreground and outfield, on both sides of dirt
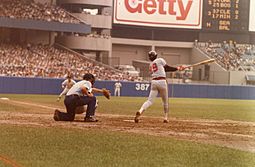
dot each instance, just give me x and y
(57, 146)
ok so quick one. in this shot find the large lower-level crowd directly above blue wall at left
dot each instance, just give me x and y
(48, 61)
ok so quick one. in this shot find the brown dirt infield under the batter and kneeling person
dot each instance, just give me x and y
(225, 133)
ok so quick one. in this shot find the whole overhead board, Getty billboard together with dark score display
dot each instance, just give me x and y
(236, 16)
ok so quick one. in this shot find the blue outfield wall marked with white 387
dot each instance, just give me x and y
(19, 85)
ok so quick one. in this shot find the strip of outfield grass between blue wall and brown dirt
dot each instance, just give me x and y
(240, 110)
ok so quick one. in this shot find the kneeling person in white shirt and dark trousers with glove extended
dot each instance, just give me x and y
(79, 95)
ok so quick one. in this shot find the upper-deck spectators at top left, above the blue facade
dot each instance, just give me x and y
(28, 9)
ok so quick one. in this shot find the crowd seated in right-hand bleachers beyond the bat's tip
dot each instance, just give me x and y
(230, 55)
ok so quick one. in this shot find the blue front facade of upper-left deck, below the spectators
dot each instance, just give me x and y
(44, 25)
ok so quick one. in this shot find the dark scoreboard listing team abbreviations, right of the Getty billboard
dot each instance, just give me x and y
(226, 15)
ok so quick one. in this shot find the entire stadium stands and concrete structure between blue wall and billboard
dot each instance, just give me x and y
(88, 27)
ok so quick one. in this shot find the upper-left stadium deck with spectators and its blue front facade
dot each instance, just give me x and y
(28, 14)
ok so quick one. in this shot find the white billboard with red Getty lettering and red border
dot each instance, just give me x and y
(159, 13)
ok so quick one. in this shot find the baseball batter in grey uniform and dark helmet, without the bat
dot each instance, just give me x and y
(158, 69)
